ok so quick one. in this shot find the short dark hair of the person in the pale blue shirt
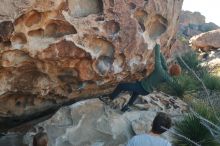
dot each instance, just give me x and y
(161, 120)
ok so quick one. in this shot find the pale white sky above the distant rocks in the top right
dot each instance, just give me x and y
(209, 8)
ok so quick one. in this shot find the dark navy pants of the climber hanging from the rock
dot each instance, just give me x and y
(135, 88)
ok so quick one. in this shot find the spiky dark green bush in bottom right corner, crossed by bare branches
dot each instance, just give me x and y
(192, 128)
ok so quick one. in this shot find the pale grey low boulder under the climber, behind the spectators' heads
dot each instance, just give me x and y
(92, 123)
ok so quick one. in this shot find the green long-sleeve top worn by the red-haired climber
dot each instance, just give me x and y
(159, 74)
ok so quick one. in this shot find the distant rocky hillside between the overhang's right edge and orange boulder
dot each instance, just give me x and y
(190, 24)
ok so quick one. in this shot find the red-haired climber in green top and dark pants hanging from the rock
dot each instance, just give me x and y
(147, 84)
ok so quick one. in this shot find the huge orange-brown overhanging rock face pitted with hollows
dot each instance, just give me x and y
(54, 51)
